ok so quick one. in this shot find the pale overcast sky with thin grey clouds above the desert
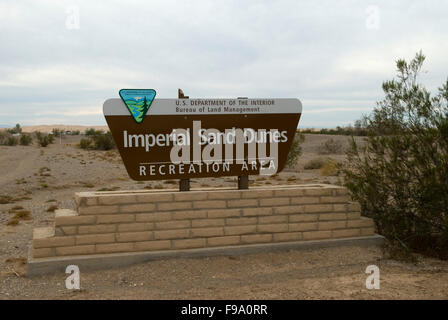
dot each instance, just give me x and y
(59, 60)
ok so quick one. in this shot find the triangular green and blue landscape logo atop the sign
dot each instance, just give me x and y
(138, 101)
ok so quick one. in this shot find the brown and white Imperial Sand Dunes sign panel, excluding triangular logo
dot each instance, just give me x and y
(196, 138)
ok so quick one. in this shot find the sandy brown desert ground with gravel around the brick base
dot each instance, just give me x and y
(39, 179)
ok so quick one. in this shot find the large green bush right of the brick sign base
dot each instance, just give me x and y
(400, 176)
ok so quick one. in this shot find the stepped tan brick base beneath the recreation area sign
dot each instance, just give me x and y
(111, 229)
